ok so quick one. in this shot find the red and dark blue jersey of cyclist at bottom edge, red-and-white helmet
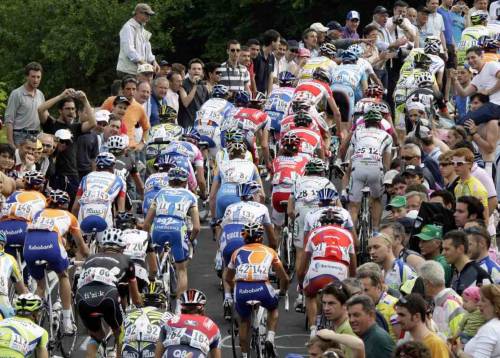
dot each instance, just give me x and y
(189, 331)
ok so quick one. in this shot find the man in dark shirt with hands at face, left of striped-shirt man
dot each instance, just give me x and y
(192, 94)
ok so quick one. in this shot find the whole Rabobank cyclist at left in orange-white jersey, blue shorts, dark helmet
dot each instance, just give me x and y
(46, 240)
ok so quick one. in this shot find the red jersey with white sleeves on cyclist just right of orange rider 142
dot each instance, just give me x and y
(330, 243)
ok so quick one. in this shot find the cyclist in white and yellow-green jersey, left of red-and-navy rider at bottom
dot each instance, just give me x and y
(141, 326)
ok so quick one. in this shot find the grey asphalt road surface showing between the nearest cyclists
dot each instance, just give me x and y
(291, 335)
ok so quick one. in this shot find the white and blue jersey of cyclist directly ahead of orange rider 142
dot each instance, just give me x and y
(246, 212)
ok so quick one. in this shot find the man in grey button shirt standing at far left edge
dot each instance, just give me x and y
(21, 115)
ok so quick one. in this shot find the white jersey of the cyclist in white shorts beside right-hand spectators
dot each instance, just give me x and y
(368, 146)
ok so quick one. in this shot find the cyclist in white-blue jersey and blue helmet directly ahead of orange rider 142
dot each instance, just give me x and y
(235, 217)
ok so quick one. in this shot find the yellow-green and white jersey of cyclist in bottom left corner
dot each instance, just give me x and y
(20, 337)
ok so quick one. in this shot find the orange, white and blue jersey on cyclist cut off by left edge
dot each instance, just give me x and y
(23, 205)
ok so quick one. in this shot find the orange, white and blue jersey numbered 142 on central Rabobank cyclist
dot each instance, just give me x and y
(252, 262)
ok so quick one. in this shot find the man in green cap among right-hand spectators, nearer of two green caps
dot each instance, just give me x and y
(431, 237)
